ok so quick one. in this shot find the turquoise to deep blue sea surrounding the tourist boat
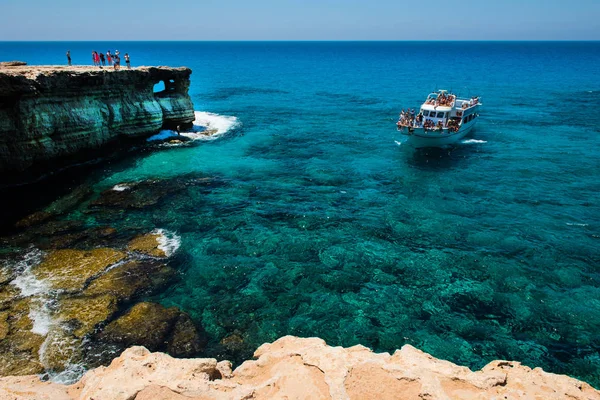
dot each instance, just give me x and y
(325, 222)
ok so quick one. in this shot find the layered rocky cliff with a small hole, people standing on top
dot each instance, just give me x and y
(52, 113)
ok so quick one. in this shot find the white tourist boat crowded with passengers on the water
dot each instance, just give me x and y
(443, 120)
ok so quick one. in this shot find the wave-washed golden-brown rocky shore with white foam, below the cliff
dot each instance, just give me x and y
(72, 295)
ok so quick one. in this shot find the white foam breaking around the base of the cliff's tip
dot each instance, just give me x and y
(206, 126)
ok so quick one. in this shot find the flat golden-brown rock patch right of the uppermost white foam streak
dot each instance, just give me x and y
(71, 269)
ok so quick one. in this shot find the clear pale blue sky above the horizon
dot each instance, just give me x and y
(299, 20)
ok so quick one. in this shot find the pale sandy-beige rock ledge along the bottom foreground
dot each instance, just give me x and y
(295, 368)
